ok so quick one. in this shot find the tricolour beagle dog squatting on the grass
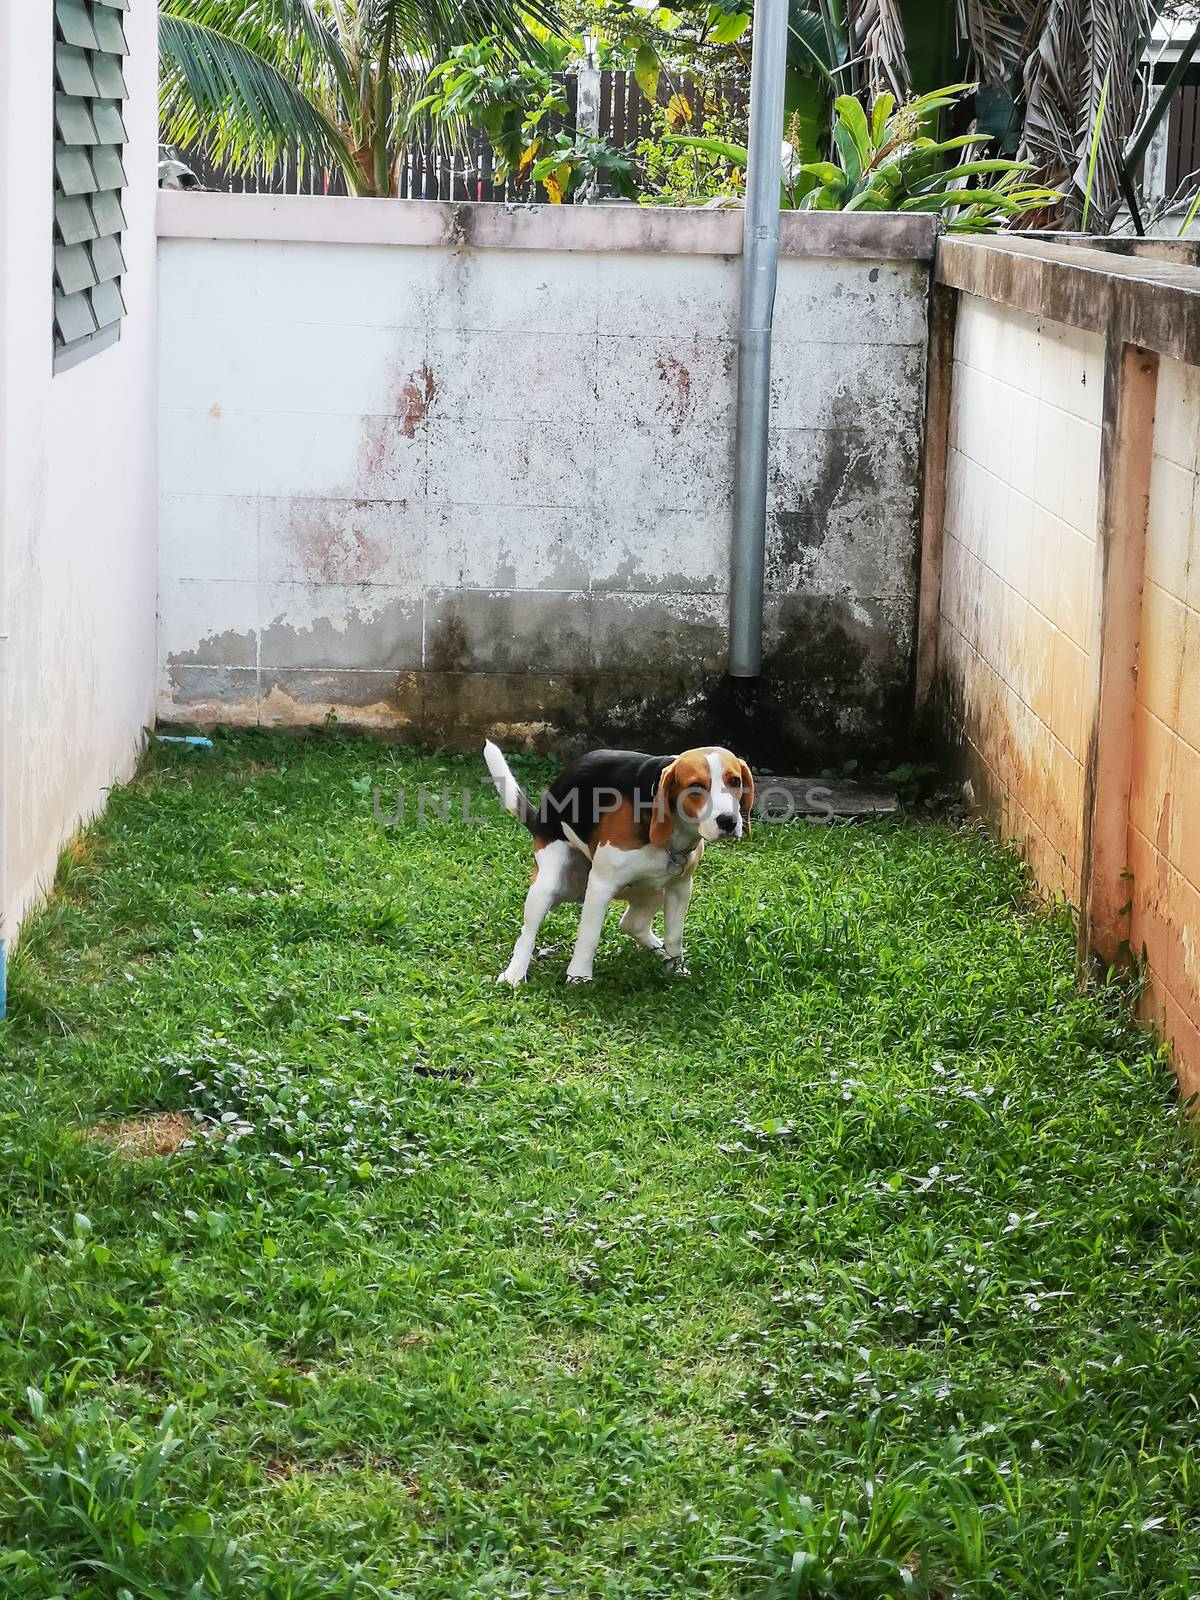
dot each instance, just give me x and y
(623, 826)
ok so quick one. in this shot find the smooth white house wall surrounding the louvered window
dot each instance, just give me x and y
(78, 482)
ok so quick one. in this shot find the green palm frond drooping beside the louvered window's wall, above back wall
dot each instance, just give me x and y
(239, 102)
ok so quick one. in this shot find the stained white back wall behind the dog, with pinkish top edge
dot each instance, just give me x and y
(450, 471)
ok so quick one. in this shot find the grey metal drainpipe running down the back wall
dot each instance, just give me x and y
(761, 258)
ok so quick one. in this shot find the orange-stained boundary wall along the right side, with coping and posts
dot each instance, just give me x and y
(1060, 607)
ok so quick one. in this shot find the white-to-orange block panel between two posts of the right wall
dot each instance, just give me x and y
(1017, 609)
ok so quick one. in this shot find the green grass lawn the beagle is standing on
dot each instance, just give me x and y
(863, 1262)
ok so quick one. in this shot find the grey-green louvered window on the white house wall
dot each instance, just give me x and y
(89, 175)
